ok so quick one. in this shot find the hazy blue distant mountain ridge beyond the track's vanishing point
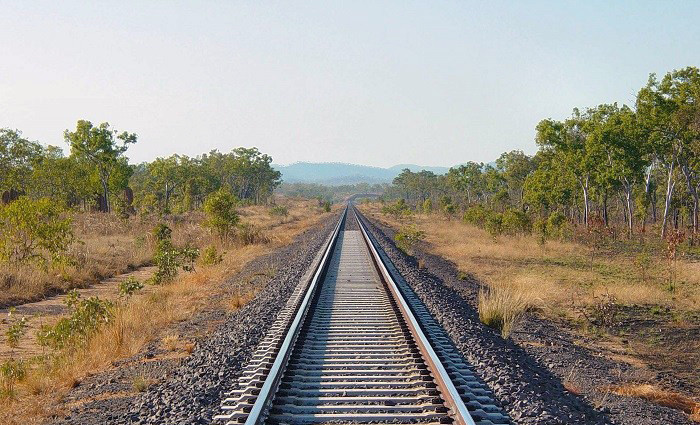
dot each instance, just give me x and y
(337, 173)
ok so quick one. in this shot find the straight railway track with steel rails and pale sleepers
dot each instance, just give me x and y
(355, 345)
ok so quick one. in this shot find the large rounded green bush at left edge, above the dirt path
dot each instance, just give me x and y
(34, 230)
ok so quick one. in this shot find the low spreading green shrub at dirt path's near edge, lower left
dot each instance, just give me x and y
(75, 330)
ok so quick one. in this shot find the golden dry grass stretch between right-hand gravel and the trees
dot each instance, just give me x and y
(556, 276)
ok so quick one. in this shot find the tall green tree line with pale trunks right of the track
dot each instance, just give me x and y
(614, 165)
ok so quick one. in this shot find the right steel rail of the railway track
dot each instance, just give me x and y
(452, 398)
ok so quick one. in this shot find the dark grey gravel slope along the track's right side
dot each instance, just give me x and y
(526, 380)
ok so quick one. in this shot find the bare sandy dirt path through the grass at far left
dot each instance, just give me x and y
(51, 309)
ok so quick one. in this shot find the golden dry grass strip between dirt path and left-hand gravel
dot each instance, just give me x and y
(147, 317)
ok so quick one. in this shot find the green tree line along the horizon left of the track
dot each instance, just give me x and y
(96, 174)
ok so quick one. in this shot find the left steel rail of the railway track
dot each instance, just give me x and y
(274, 376)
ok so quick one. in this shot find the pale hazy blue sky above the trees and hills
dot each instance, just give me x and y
(376, 82)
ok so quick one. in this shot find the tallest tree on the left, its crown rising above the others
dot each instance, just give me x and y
(102, 147)
